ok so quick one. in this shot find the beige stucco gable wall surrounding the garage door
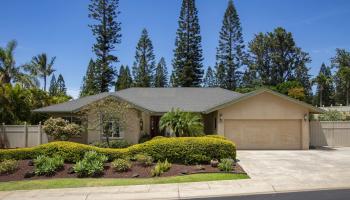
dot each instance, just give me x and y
(266, 106)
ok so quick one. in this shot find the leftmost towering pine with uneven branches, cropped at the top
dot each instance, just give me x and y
(107, 32)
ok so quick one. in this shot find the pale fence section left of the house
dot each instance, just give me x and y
(14, 136)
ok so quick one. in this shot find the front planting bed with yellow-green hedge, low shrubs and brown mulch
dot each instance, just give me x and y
(159, 157)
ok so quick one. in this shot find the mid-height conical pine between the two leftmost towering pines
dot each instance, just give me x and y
(144, 64)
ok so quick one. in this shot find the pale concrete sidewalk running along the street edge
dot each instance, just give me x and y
(176, 191)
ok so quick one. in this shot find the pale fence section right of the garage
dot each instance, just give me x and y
(330, 133)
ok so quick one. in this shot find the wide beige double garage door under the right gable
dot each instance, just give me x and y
(264, 134)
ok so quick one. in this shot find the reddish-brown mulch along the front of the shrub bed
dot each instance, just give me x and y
(140, 171)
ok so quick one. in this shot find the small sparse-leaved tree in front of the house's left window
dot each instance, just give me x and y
(106, 111)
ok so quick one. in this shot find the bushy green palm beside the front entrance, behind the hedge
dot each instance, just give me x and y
(182, 123)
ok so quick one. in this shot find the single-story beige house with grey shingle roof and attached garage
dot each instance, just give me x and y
(263, 119)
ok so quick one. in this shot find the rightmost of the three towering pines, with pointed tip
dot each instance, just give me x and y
(230, 52)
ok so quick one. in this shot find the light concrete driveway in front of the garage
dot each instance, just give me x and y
(313, 167)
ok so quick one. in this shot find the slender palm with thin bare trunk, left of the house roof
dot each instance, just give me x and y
(41, 67)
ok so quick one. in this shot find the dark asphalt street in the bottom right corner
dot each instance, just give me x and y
(312, 195)
